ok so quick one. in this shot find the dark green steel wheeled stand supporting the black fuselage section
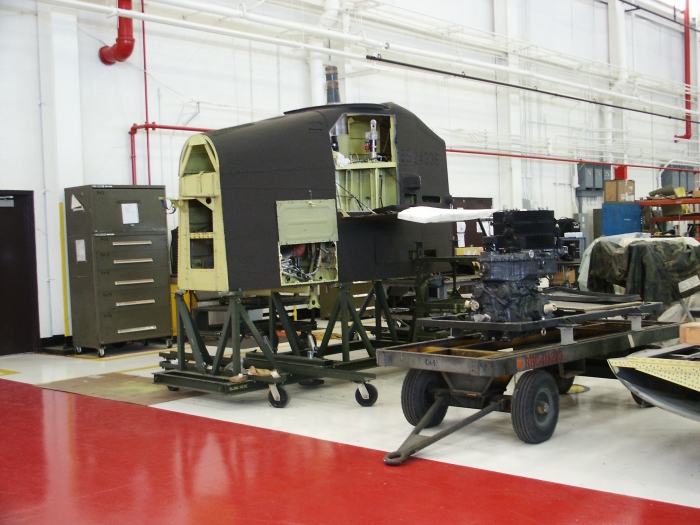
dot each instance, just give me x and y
(306, 362)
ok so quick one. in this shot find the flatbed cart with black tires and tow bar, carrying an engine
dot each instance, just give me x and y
(466, 371)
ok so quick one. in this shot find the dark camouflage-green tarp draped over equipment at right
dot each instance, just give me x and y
(652, 270)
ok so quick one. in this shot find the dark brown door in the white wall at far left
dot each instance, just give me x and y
(19, 302)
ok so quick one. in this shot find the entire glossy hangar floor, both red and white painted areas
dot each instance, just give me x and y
(610, 461)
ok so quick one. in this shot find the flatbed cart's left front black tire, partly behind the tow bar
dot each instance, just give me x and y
(416, 396)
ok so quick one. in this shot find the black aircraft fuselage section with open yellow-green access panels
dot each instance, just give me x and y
(310, 197)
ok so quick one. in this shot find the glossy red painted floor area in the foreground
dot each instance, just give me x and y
(70, 459)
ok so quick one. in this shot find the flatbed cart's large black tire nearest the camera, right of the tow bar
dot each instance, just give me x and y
(535, 407)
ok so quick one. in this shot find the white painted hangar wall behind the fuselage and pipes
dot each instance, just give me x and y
(65, 116)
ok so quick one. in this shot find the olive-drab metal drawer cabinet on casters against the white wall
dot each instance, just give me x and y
(118, 264)
